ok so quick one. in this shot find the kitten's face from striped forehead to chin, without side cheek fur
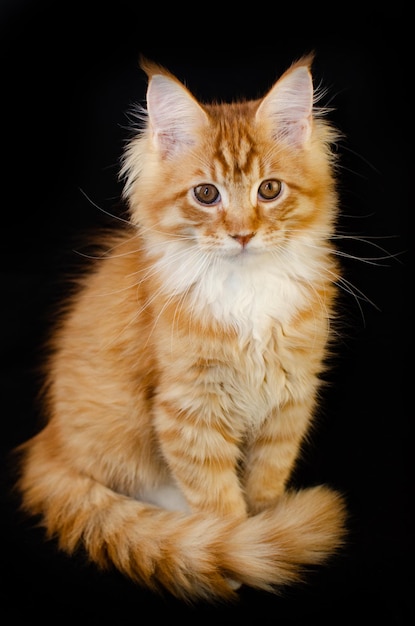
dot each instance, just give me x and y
(244, 195)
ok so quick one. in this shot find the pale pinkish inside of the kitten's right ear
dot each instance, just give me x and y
(288, 107)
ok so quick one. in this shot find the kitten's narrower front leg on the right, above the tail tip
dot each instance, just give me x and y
(271, 455)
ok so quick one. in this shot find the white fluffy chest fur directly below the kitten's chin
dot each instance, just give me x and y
(245, 291)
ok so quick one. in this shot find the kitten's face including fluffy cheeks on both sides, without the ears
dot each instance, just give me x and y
(234, 192)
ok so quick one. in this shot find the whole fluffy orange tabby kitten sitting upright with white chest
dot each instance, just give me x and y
(184, 371)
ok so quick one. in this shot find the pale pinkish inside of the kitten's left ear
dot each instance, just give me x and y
(174, 114)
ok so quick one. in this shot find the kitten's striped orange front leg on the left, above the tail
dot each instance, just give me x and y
(202, 454)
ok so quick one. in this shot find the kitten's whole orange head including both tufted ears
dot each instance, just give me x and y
(231, 178)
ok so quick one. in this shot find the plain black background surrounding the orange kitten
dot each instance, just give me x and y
(69, 77)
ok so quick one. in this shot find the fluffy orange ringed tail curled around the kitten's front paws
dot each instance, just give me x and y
(192, 556)
